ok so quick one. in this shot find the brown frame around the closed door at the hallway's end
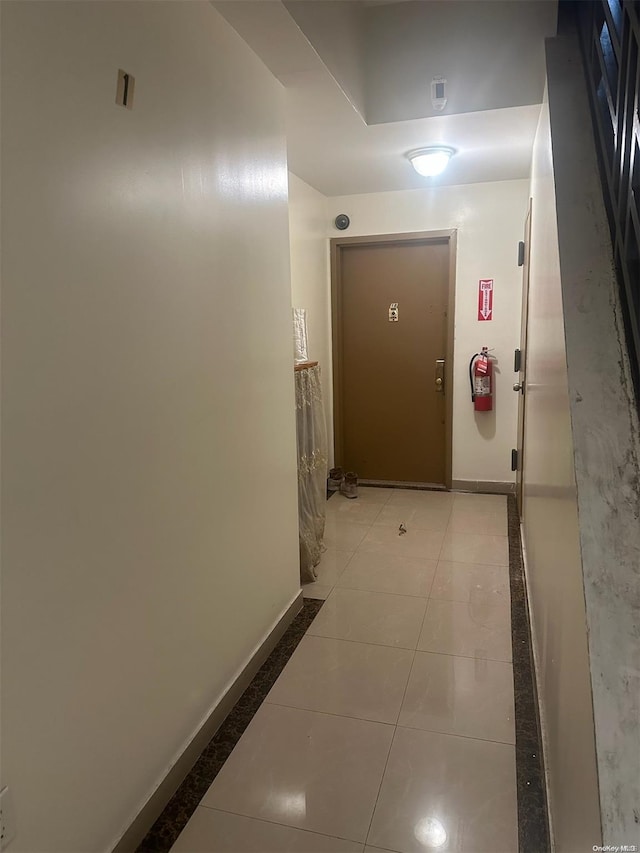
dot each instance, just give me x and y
(337, 244)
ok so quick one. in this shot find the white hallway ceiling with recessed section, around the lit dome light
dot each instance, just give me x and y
(357, 78)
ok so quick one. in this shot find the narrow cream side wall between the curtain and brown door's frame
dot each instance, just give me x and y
(309, 276)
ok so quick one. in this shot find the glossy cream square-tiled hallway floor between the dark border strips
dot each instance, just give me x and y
(392, 726)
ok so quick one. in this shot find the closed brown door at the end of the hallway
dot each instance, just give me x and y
(392, 411)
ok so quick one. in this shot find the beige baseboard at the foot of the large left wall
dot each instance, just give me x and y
(132, 837)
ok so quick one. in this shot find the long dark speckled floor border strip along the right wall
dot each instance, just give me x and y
(533, 823)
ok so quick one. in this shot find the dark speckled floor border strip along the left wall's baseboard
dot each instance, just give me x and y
(165, 831)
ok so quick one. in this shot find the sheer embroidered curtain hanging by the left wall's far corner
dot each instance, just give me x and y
(312, 469)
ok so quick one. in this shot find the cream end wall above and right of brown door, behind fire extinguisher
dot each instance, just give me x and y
(489, 218)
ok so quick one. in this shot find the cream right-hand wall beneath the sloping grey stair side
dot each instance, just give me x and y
(551, 534)
